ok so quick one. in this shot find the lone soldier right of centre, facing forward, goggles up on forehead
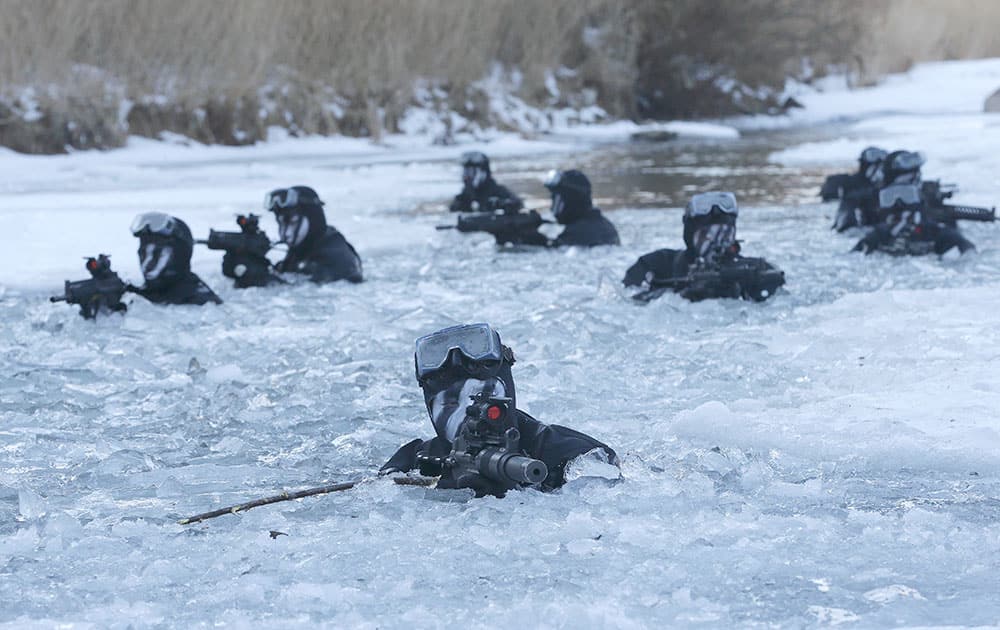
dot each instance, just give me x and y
(710, 266)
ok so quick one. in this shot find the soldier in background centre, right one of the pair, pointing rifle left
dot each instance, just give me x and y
(572, 206)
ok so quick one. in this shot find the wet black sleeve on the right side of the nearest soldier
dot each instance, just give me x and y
(557, 446)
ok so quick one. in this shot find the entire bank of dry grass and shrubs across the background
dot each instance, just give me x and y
(206, 68)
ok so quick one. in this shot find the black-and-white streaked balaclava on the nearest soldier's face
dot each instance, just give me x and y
(448, 391)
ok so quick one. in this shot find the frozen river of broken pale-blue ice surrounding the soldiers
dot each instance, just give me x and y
(829, 456)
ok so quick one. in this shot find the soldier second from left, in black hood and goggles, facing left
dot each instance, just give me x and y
(315, 249)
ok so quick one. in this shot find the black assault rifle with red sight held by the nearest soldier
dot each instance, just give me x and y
(488, 445)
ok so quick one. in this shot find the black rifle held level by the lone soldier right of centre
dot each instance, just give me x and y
(733, 277)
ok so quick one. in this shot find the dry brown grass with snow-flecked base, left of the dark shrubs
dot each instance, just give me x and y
(201, 66)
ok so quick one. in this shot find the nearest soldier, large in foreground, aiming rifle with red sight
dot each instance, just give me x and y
(483, 441)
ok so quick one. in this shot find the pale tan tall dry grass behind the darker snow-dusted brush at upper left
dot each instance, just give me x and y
(230, 47)
